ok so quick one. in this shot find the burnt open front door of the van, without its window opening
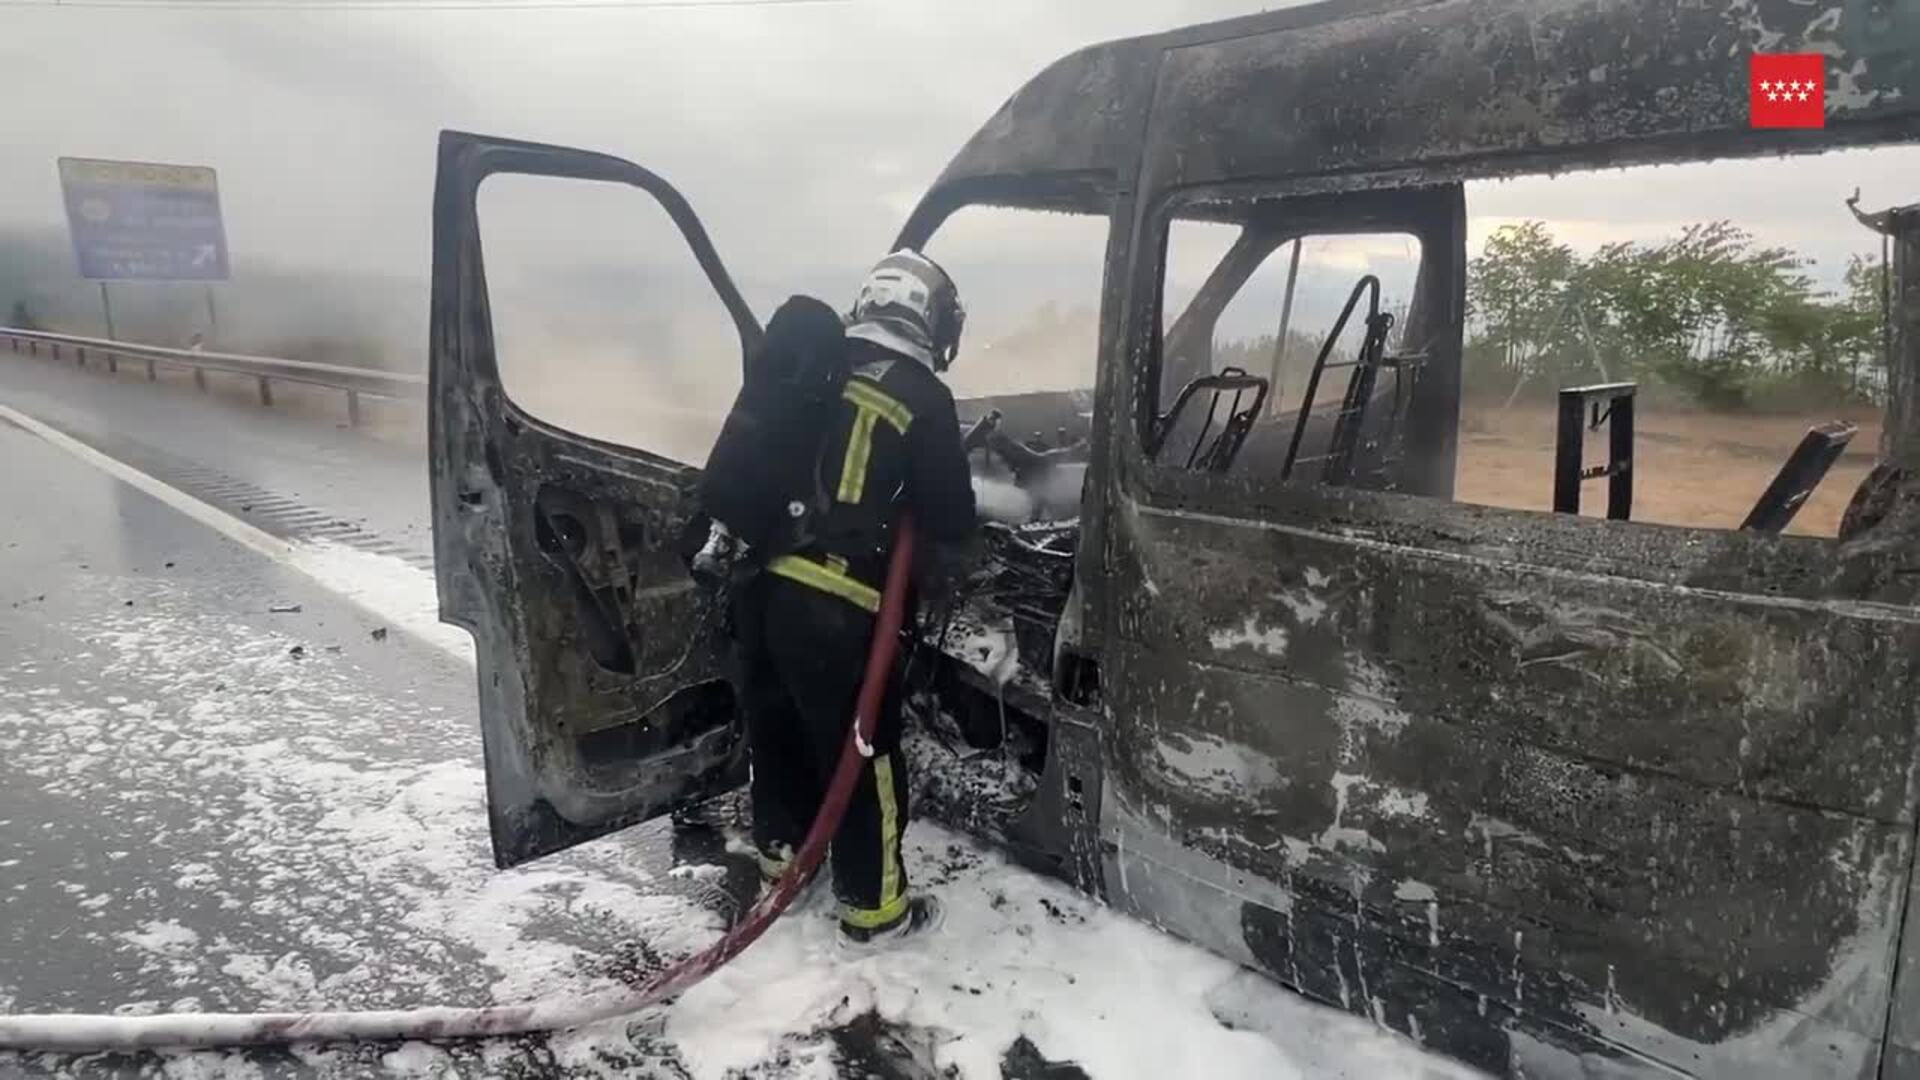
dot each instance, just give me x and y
(604, 695)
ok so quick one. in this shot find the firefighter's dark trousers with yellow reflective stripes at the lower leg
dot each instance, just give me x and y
(802, 662)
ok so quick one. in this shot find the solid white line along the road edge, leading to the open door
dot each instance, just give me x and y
(364, 579)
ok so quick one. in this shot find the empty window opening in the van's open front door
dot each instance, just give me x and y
(604, 322)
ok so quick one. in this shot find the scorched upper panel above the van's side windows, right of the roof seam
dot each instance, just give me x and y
(1491, 87)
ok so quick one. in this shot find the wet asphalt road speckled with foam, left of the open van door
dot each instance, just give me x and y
(216, 777)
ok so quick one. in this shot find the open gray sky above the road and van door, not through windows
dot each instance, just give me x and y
(807, 128)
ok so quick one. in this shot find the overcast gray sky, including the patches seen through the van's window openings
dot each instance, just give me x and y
(802, 135)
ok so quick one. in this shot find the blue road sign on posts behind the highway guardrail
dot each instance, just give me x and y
(139, 222)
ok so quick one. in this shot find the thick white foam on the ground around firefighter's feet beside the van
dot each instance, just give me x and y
(1024, 956)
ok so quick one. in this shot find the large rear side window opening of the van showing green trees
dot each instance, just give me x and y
(1754, 345)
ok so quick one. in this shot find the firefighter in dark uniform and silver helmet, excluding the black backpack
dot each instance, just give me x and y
(890, 445)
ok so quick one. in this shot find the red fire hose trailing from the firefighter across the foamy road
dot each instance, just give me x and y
(78, 1031)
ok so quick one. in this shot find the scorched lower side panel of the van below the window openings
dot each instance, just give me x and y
(1621, 791)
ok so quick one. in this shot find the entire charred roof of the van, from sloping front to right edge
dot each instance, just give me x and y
(1404, 91)
